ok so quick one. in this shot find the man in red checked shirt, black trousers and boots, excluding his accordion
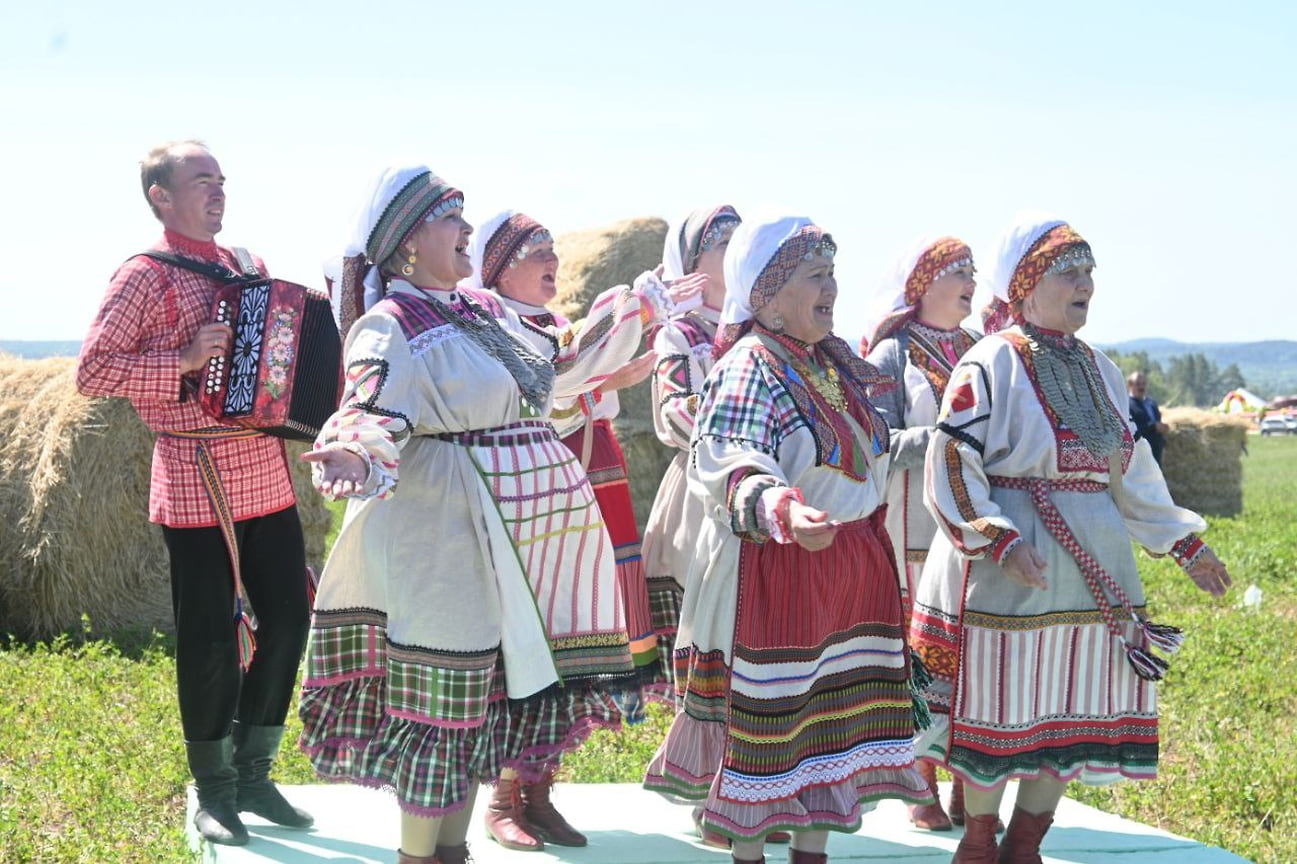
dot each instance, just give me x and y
(221, 494)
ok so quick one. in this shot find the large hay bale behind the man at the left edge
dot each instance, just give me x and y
(75, 531)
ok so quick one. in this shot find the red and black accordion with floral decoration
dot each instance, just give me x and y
(283, 376)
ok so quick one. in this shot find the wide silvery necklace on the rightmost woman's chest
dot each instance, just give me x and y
(1075, 391)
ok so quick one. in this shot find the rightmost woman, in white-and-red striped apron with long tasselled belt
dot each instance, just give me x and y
(1030, 613)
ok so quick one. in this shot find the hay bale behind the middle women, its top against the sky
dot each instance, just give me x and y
(591, 263)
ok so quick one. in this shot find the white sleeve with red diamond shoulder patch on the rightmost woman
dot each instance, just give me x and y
(957, 488)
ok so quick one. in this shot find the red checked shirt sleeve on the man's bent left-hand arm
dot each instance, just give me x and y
(112, 360)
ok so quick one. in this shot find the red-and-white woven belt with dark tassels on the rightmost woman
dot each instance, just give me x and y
(1163, 636)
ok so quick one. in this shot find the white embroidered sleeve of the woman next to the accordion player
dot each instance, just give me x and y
(378, 409)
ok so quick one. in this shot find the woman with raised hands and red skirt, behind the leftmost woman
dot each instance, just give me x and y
(513, 256)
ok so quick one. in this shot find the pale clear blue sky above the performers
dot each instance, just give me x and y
(1167, 133)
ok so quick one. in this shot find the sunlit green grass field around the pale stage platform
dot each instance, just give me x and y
(93, 765)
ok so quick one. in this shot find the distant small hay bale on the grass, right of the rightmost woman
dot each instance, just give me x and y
(1203, 461)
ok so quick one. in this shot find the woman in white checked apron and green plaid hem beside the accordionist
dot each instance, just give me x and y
(469, 604)
